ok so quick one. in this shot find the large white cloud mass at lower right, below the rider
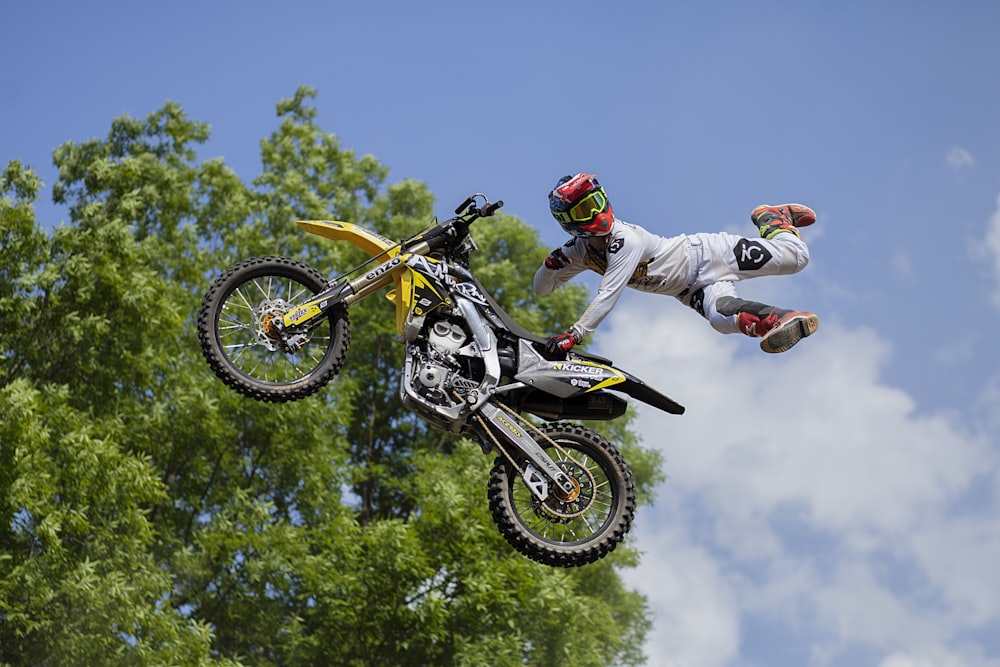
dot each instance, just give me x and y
(805, 492)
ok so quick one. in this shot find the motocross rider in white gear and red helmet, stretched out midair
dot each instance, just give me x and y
(698, 269)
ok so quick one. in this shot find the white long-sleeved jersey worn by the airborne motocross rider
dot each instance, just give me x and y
(634, 257)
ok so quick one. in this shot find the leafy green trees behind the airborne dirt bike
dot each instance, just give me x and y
(148, 515)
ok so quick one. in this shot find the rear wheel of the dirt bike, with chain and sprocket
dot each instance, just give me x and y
(567, 530)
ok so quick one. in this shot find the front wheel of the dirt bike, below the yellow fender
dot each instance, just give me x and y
(245, 348)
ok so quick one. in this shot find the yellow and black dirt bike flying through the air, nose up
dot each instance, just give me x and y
(275, 329)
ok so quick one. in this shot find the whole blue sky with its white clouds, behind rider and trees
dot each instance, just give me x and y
(836, 505)
